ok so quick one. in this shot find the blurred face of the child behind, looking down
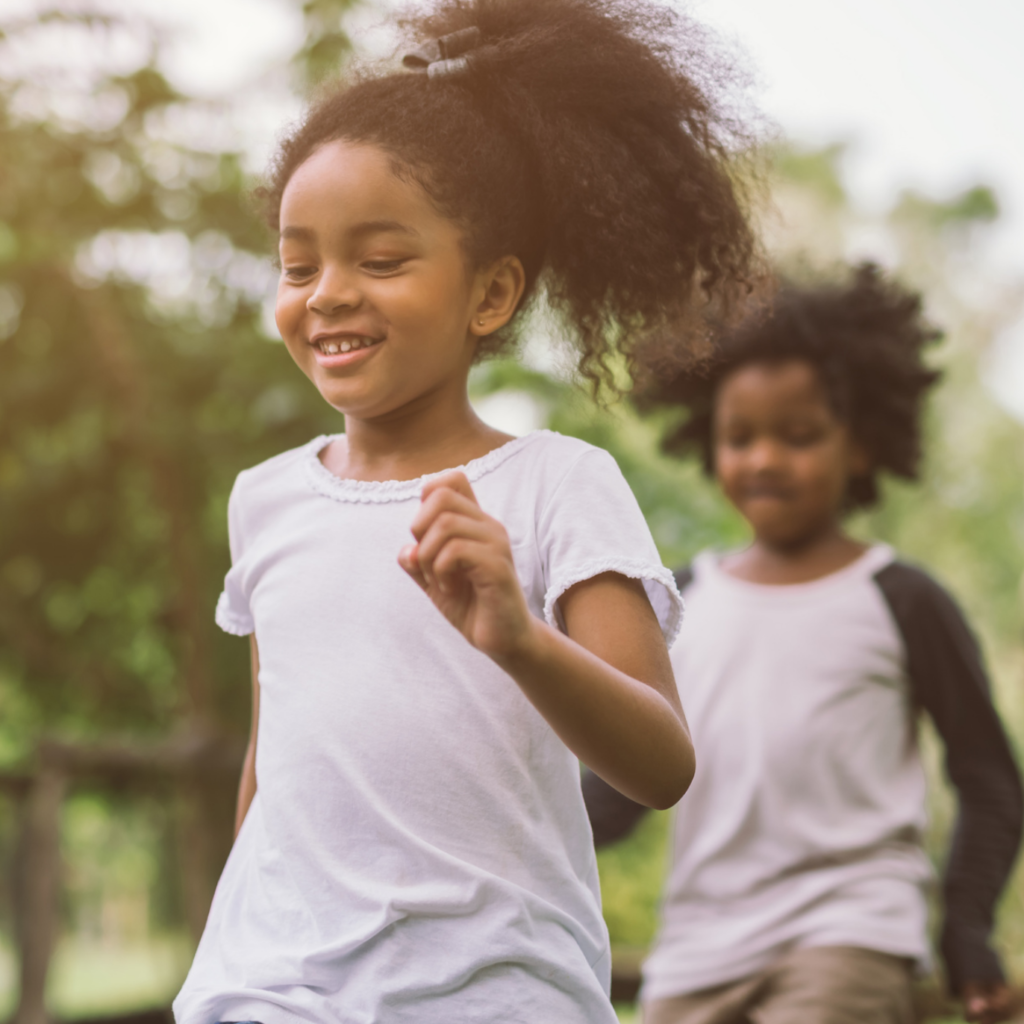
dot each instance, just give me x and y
(782, 456)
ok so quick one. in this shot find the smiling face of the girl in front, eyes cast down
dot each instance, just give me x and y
(376, 303)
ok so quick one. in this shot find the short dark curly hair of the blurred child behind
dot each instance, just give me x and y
(866, 338)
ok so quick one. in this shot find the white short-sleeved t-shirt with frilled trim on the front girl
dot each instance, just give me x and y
(418, 848)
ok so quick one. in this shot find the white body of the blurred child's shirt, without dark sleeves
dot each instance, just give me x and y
(803, 826)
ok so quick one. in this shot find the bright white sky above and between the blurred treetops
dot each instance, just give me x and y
(927, 93)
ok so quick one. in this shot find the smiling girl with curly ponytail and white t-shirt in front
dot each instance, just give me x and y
(435, 648)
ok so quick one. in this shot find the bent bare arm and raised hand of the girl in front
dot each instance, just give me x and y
(608, 689)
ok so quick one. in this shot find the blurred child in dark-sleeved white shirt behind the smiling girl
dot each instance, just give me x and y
(797, 891)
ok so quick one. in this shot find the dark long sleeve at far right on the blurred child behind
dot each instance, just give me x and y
(950, 681)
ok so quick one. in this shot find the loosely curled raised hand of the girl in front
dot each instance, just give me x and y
(463, 561)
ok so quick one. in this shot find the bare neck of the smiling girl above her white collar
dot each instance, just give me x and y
(411, 443)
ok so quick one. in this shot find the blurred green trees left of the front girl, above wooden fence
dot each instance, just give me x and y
(136, 381)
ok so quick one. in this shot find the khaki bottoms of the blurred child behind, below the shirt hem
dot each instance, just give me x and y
(821, 986)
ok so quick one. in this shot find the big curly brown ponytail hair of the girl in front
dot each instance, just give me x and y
(584, 137)
